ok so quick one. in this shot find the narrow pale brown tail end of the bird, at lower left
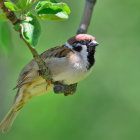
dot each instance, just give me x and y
(7, 122)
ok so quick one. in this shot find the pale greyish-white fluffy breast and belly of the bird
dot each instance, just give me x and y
(70, 69)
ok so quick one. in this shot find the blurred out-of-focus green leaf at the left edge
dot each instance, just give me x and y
(5, 37)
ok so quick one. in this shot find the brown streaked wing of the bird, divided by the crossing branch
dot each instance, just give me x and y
(30, 71)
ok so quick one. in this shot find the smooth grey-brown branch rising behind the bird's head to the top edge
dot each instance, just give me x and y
(85, 21)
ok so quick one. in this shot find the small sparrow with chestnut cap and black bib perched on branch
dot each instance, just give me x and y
(69, 64)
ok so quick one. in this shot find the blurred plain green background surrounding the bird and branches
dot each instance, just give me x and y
(106, 105)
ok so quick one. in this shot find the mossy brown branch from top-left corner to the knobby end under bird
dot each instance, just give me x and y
(43, 69)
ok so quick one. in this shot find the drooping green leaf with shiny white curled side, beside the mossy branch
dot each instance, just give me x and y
(30, 29)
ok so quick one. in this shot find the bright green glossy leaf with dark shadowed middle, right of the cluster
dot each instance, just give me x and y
(47, 10)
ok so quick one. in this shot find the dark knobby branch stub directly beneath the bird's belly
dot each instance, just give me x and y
(66, 89)
